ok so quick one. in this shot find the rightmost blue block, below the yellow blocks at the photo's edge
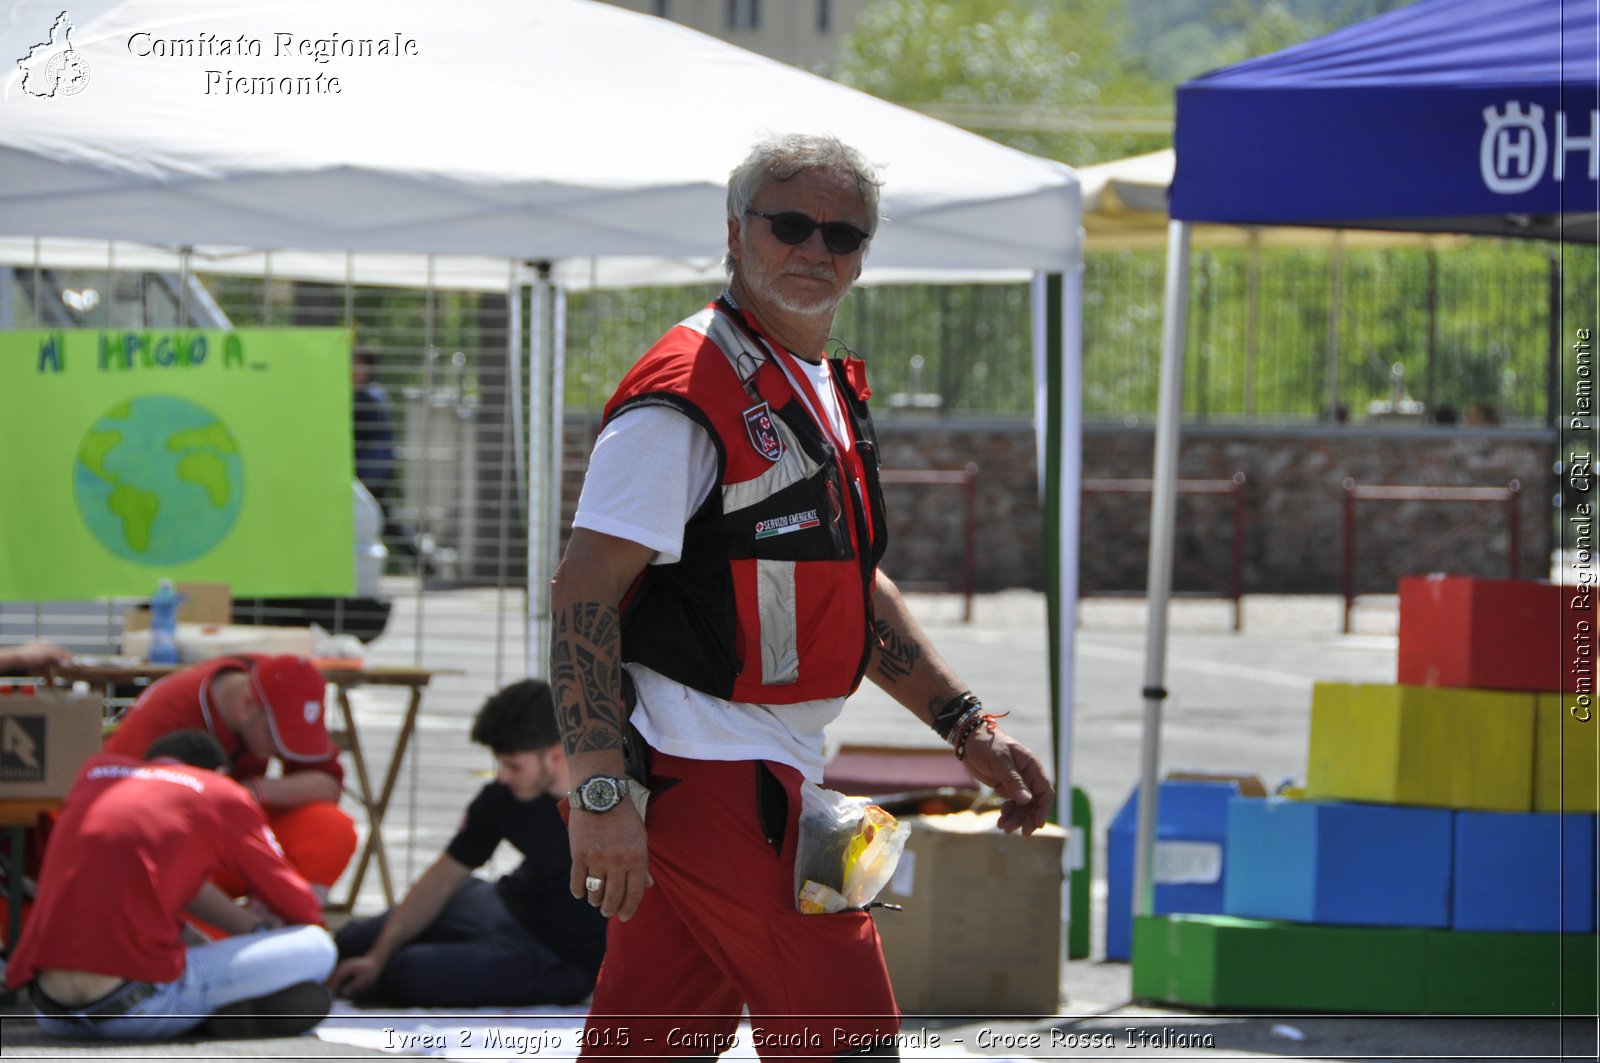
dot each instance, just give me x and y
(1530, 873)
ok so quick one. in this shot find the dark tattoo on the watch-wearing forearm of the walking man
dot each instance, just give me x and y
(586, 678)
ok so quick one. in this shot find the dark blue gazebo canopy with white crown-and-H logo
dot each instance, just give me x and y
(1463, 116)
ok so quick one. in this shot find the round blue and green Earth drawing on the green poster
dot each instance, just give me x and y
(159, 481)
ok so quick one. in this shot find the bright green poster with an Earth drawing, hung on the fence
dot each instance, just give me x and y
(209, 457)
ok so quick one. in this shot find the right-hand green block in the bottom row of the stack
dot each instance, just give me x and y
(1511, 974)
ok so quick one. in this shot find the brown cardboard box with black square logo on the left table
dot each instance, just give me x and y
(46, 740)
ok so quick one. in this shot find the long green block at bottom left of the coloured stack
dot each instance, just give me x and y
(1226, 963)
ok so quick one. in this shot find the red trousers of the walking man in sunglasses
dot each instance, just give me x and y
(719, 933)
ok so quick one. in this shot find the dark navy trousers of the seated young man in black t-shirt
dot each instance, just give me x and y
(473, 955)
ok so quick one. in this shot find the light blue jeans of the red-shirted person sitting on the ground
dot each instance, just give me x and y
(215, 976)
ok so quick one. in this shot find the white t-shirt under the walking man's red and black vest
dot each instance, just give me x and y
(650, 470)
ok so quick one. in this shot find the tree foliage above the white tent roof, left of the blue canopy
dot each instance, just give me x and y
(1079, 81)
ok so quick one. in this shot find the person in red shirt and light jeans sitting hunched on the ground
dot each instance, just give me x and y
(134, 854)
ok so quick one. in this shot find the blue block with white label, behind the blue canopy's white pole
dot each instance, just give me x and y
(1190, 835)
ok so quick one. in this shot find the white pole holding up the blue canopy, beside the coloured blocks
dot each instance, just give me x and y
(1164, 507)
